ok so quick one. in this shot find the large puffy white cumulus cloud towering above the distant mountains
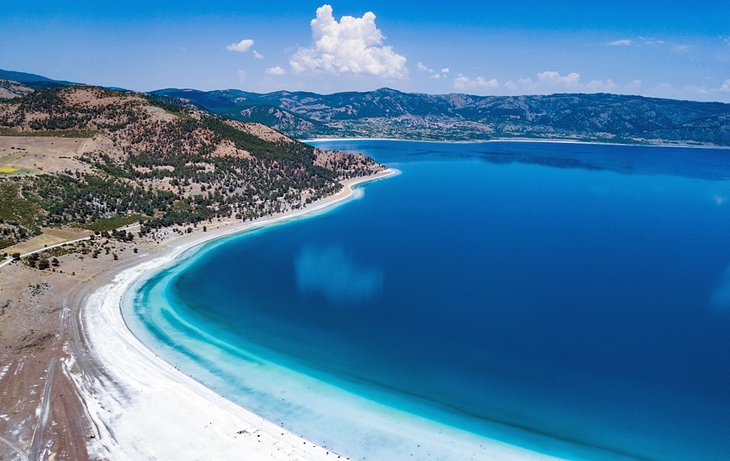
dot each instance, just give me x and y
(348, 46)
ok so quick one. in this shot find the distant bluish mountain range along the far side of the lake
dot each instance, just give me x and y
(391, 113)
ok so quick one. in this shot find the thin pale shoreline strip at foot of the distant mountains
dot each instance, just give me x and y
(521, 140)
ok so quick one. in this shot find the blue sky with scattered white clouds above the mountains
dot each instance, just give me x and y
(675, 49)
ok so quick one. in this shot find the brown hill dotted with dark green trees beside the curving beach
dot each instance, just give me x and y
(85, 156)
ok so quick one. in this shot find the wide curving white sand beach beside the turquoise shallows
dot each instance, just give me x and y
(140, 404)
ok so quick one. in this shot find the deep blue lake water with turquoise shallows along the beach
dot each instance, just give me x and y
(570, 299)
